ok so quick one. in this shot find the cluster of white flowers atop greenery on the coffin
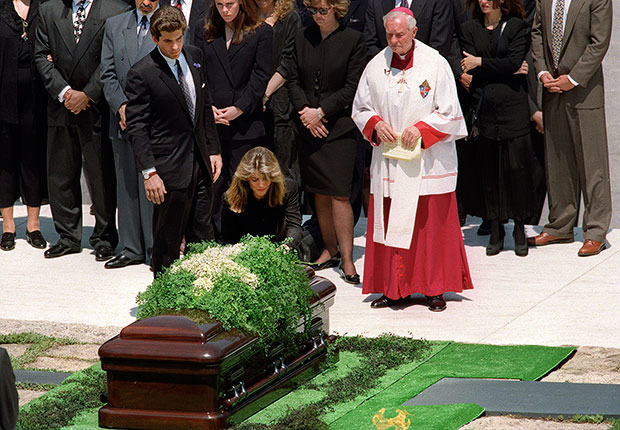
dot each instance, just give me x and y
(208, 265)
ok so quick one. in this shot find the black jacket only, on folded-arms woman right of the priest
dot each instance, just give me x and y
(504, 112)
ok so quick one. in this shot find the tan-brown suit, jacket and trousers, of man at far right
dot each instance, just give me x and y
(574, 121)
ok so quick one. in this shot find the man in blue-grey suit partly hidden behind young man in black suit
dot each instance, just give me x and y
(125, 42)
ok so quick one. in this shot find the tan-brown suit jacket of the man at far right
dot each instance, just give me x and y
(587, 34)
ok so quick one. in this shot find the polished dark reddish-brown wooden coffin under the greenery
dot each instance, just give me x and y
(168, 372)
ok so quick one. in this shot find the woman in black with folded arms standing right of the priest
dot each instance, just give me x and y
(494, 44)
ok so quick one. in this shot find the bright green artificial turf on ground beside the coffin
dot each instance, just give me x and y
(524, 362)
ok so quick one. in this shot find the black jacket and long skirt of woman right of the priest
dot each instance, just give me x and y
(502, 157)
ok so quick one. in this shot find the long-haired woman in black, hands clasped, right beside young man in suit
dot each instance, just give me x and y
(237, 49)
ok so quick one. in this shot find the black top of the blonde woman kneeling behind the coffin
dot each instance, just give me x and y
(258, 219)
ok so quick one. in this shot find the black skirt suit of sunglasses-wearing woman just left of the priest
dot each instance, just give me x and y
(325, 74)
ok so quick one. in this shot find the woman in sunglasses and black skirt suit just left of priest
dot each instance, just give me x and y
(329, 59)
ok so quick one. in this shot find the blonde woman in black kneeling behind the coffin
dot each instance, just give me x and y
(260, 201)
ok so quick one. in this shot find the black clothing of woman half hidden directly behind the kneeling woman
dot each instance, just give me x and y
(278, 115)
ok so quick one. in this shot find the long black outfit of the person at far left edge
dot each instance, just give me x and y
(22, 110)
